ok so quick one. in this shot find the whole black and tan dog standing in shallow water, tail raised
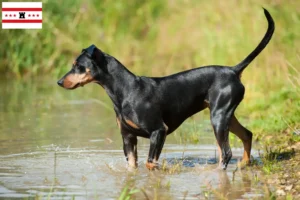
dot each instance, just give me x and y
(155, 107)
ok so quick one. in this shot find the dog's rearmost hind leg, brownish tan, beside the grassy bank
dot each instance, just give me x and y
(245, 135)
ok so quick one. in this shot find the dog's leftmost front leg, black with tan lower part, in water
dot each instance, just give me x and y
(130, 149)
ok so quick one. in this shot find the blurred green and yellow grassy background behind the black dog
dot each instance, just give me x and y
(157, 38)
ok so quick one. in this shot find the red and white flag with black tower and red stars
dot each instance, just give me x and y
(21, 15)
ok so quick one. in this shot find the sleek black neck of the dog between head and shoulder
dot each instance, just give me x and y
(117, 80)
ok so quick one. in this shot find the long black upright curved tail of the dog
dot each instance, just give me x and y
(271, 27)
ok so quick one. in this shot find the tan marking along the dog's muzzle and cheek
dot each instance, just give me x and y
(73, 79)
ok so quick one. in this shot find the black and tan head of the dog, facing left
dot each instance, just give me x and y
(88, 67)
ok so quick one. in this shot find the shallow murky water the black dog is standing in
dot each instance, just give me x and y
(60, 144)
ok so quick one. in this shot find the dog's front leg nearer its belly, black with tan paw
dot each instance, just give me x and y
(157, 140)
